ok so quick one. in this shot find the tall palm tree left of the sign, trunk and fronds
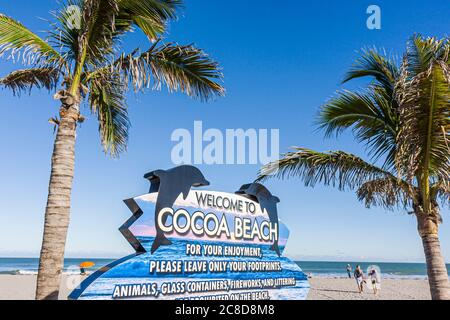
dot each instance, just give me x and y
(81, 56)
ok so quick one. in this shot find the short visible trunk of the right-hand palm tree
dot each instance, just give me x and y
(436, 268)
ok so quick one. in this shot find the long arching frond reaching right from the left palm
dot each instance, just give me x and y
(179, 68)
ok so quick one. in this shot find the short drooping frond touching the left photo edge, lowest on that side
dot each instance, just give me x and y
(24, 80)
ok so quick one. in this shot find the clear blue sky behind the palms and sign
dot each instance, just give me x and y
(281, 62)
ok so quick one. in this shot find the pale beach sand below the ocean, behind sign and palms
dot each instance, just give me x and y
(22, 287)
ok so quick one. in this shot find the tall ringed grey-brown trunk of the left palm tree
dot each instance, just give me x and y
(57, 212)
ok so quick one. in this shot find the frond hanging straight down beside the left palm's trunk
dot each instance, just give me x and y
(107, 101)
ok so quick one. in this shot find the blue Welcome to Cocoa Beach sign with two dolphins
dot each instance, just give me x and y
(200, 245)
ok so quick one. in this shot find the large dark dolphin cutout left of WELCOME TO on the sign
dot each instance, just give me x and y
(170, 184)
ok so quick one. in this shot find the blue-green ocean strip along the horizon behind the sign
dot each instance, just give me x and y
(313, 268)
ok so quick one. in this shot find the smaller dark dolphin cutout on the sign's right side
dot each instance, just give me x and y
(258, 192)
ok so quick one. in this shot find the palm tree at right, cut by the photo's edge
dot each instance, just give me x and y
(402, 117)
